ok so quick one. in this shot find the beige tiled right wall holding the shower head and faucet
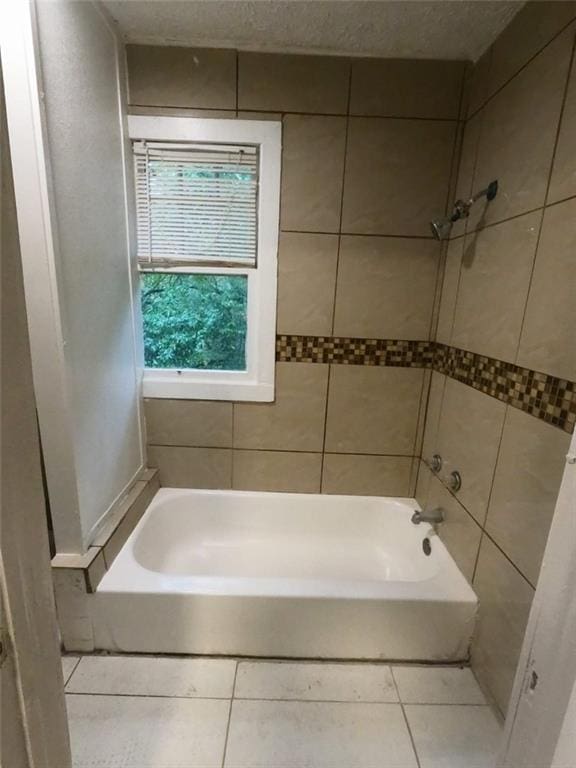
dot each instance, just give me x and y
(508, 293)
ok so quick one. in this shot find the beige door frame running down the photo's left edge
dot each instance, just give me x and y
(34, 722)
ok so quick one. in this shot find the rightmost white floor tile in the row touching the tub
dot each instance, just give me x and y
(437, 685)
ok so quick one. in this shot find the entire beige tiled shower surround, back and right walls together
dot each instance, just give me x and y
(390, 347)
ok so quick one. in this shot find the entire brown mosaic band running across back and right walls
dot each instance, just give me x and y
(546, 397)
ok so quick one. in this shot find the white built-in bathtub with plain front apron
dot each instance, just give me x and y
(284, 575)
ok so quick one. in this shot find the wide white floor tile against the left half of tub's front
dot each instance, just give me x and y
(153, 676)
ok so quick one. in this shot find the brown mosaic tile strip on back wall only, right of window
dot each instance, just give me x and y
(349, 351)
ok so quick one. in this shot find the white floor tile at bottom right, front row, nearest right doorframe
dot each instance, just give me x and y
(454, 736)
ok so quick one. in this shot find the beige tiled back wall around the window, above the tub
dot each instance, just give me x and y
(368, 151)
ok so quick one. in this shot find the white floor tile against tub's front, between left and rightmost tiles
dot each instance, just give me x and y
(319, 682)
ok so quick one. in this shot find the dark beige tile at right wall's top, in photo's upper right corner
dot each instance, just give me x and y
(531, 29)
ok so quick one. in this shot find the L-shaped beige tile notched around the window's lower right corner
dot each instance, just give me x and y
(295, 421)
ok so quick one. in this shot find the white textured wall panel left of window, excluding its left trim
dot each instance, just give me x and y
(79, 65)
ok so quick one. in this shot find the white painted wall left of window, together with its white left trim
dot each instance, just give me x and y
(71, 178)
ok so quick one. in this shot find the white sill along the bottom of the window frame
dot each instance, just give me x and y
(186, 386)
